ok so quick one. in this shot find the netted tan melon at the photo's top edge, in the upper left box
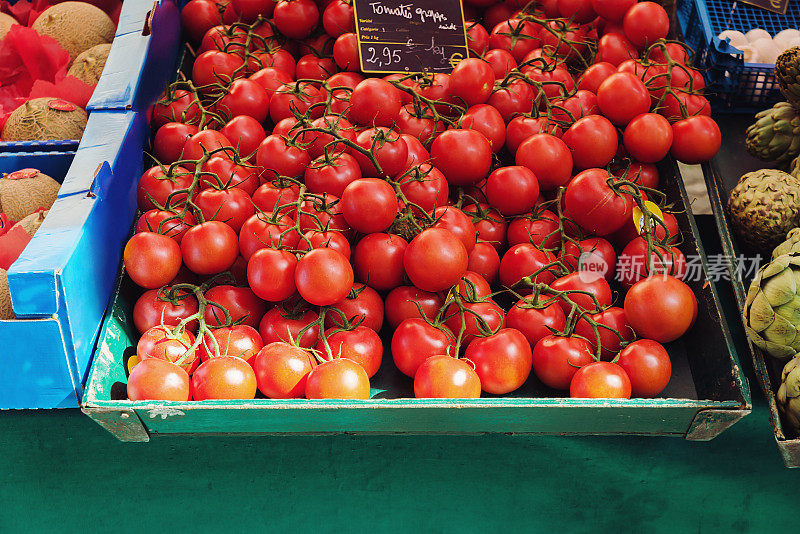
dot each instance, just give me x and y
(77, 26)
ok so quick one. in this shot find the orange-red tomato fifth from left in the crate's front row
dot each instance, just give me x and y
(445, 377)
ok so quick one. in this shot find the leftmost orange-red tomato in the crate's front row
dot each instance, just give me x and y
(155, 379)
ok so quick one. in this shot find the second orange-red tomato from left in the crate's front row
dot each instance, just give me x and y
(225, 377)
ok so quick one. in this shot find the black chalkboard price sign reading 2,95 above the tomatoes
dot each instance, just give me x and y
(410, 36)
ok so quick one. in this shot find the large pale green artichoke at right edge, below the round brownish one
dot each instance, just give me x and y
(772, 308)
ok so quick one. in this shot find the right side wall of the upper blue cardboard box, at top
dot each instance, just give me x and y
(142, 57)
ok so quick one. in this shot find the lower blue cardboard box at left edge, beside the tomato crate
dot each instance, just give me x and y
(61, 284)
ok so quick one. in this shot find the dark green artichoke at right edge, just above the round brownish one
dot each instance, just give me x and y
(775, 136)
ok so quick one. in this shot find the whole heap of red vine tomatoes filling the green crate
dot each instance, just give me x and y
(483, 219)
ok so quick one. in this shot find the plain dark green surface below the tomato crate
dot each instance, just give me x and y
(61, 472)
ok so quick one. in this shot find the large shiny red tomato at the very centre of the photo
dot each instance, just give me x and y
(435, 259)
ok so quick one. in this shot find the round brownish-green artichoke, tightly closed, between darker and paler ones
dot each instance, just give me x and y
(764, 206)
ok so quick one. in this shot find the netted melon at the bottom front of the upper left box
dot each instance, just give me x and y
(44, 119)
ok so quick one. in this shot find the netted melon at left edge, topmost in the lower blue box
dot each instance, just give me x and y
(25, 191)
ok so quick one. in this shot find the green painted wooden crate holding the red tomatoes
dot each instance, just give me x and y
(707, 393)
